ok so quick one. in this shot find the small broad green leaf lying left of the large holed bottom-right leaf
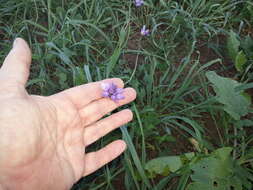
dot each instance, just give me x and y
(163, 165)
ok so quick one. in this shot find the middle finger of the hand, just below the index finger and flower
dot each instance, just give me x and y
(97, 109)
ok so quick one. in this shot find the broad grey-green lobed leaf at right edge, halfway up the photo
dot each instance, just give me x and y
(235, 103)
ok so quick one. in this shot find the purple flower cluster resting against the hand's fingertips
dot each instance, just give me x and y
(110, 90)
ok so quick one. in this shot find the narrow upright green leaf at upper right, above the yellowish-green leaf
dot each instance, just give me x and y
(233, 45)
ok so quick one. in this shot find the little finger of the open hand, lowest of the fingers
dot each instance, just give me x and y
(96, 160)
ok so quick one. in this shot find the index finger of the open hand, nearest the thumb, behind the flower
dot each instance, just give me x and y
(84, 94)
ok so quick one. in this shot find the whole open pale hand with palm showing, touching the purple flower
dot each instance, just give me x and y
(43, 139)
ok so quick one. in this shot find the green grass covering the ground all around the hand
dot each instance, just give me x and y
(76, 42)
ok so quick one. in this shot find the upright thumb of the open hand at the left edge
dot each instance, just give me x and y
(16, 66)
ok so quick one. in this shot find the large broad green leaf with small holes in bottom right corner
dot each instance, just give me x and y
(215, 172)
